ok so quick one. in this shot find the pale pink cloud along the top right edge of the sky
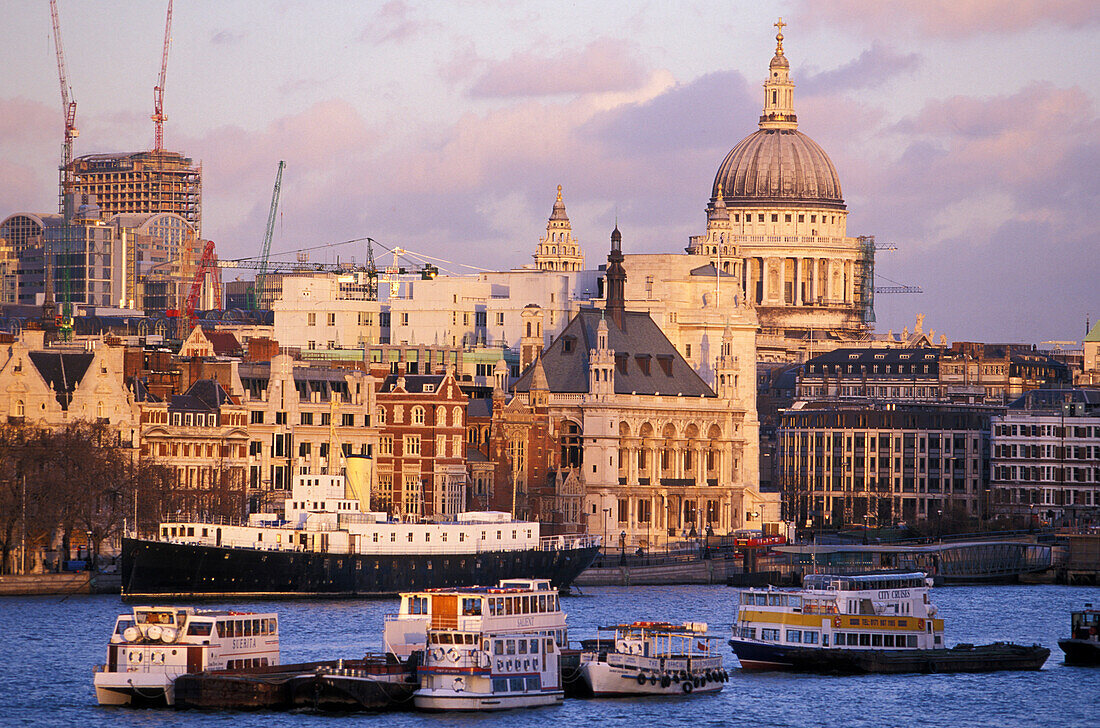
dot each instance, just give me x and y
(954, 18)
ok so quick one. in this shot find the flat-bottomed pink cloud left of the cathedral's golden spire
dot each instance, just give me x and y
(604, 65)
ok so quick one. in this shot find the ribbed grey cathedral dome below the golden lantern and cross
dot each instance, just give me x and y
(778, 167)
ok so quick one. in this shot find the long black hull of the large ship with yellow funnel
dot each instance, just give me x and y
(157, 569)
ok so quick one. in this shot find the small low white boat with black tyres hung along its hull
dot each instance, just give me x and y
(652, 658)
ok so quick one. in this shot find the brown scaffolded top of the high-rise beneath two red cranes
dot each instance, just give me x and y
(142, 183)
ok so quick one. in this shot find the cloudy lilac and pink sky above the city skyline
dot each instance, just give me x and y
(965, 133)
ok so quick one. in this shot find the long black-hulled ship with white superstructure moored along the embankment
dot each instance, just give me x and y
(325, 544)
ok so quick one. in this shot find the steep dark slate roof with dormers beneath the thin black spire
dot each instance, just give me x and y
(641, 340)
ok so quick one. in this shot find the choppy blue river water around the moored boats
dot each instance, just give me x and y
(52, 645)
